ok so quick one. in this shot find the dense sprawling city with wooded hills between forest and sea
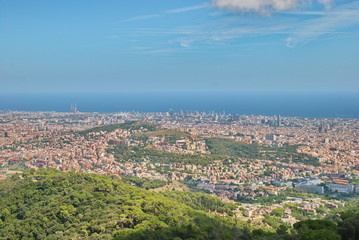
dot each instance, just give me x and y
(289, 167)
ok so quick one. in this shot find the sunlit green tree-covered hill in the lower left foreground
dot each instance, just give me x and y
(47, 204)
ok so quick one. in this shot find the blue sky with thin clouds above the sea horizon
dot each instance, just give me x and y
(178, 45)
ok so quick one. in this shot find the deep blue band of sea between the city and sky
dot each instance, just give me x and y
(307, 105)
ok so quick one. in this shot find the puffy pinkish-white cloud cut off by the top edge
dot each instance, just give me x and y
(265, 6)
